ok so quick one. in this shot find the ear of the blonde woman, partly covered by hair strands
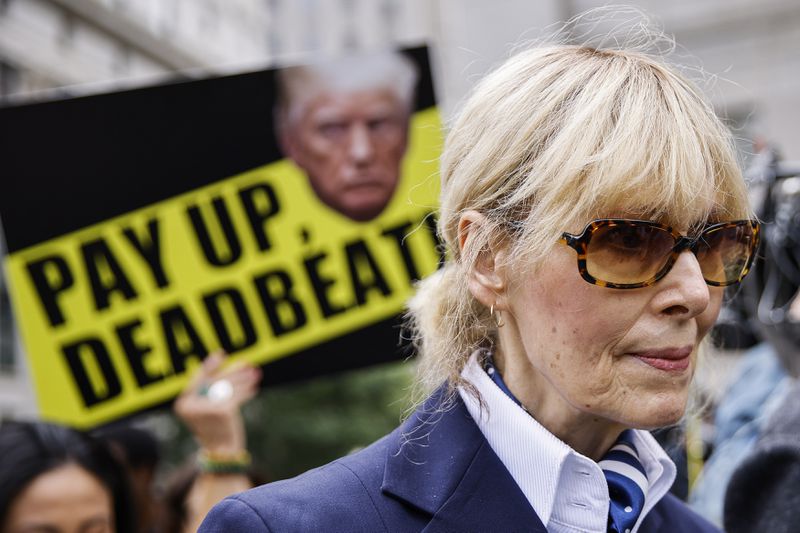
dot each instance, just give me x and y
(487, 277)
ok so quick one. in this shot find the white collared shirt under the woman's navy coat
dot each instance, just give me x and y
(567, 490)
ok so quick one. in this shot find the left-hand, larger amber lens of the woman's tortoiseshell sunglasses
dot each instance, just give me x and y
(628, 253)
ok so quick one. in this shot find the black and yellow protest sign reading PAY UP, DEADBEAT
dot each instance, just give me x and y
(149, 227)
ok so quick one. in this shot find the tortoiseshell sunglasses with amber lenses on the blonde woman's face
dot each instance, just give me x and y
(628, 254)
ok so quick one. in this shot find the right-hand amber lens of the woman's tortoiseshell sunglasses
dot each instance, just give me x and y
(724, 253)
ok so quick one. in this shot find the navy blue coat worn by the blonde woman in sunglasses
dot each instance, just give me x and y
(434, 473)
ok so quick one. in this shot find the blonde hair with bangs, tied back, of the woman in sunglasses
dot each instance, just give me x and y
(557, 135)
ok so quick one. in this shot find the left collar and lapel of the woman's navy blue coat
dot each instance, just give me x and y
(440, 463)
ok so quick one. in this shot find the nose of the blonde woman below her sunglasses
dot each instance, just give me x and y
(684, 290)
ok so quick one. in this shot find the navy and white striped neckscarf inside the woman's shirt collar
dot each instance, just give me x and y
(626, 477)
